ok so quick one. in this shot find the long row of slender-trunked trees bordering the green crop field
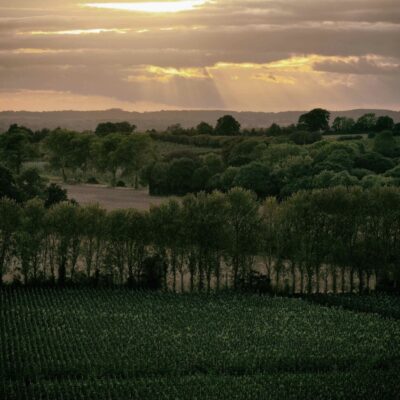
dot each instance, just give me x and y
(335, 239)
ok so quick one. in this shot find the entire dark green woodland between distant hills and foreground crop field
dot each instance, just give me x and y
(285, 209)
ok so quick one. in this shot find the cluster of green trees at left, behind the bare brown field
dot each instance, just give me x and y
(112, 151)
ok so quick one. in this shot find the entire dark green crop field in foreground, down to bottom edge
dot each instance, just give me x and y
(117, 344)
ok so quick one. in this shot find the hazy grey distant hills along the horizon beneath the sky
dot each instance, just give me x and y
(88, 120)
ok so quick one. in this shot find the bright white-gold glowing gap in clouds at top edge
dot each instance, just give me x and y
(150, 7)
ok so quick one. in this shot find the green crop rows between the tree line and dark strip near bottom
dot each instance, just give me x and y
(48, 334)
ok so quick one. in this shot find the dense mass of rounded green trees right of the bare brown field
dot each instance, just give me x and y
(279, 169)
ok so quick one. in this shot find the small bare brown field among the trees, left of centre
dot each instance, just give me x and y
(113, 198)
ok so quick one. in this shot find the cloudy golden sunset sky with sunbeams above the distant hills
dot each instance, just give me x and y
(245, 55)
